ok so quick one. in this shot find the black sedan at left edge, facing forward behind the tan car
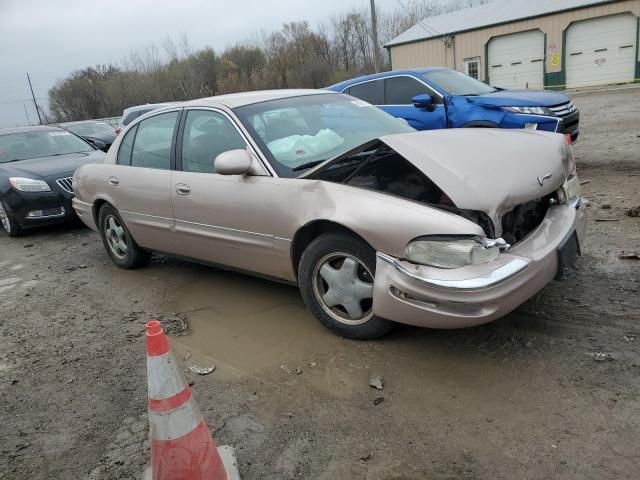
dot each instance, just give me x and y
(36, 168)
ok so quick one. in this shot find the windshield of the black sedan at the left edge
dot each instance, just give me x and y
(25, 145)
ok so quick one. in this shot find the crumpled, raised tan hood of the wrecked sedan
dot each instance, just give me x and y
(489, 170)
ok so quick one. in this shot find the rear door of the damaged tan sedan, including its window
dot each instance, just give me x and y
(140, 182)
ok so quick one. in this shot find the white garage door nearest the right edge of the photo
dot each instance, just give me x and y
(601, 50)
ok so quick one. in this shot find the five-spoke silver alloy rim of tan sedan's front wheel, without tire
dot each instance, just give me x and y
(343, 285)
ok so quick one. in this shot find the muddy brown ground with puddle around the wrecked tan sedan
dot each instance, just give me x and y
(520, 398)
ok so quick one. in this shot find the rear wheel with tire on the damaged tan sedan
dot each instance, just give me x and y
(120, 245)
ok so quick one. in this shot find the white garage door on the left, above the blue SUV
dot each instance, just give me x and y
(517, 60)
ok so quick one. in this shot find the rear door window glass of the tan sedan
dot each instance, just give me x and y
(152, 146)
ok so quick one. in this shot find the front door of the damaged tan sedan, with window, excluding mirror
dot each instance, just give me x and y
(221, 219)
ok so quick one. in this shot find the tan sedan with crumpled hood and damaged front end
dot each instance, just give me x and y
(375, 222)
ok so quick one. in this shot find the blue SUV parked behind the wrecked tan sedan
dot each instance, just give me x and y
(433, 98)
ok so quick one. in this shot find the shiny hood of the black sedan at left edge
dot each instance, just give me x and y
(48, 166)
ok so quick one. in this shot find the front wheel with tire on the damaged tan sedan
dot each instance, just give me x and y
(336, 276)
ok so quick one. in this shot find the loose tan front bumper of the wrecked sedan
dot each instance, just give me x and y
(430, 297)
